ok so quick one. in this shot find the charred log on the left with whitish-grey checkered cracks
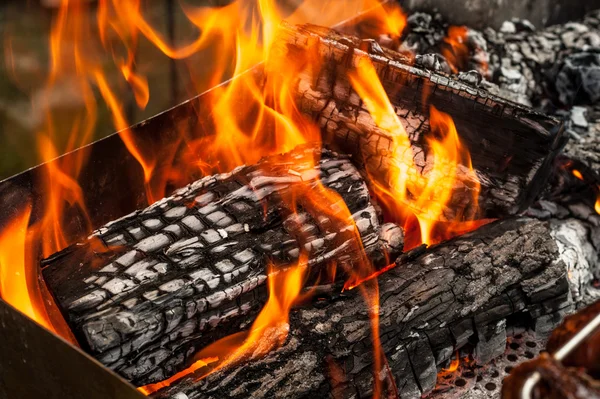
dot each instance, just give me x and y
(145, 292)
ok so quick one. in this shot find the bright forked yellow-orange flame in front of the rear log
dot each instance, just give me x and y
(413, 194)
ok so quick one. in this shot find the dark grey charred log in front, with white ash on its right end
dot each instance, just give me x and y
(469, 289)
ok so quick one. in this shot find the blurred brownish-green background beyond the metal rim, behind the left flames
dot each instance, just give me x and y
(25, 28)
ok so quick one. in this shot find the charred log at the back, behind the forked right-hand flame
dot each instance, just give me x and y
(510, 146)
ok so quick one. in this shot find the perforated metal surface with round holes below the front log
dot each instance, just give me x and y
(473, 382)
